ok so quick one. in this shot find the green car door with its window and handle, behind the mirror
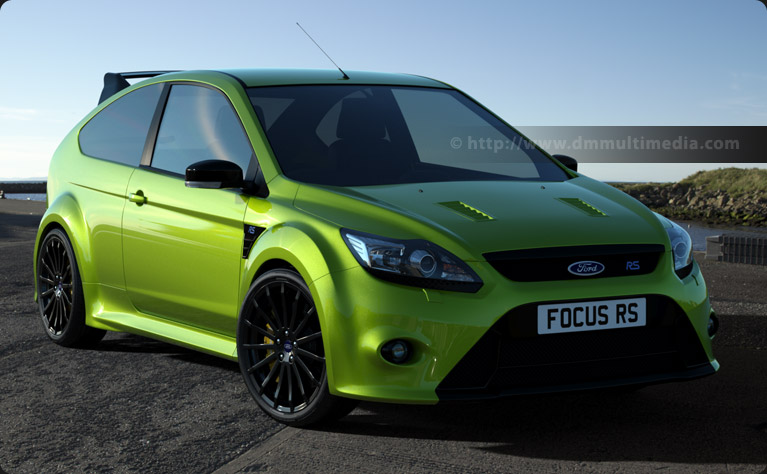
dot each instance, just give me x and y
(182, 246)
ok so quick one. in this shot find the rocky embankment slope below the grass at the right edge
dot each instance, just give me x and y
(688, 201)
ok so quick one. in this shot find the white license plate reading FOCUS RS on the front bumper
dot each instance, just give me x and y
(591, 316)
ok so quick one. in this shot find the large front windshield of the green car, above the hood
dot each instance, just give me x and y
(345, 135)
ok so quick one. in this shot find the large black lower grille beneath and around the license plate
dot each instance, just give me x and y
(512, 357)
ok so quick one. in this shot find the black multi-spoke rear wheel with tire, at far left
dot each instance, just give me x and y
(60, 294)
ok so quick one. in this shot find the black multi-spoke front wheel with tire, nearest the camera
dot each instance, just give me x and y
(281, 355)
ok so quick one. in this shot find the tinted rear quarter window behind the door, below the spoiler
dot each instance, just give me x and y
(118, 133)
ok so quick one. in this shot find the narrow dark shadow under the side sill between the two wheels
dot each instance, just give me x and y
(131, 343)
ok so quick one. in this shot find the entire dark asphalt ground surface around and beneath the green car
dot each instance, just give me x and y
(136, 405)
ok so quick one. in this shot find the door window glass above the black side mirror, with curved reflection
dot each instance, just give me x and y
(199, 124)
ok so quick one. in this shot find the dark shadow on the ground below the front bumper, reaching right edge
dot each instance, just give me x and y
(718, 419)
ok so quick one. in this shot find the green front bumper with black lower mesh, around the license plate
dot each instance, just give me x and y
(452, 333)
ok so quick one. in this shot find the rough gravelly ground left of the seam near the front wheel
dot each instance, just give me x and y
(130, 405)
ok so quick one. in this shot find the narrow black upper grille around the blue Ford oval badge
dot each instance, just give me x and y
(549, 264)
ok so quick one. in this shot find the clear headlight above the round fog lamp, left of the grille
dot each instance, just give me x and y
(411, 262)
